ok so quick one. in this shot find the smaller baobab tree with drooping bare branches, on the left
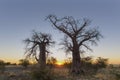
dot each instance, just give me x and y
(37, 46)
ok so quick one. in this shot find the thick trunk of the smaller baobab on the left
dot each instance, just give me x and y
(42, 57)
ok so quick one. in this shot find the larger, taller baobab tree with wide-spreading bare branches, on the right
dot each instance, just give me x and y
(78, 37)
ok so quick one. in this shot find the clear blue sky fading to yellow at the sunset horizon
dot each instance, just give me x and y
(19, 17)
